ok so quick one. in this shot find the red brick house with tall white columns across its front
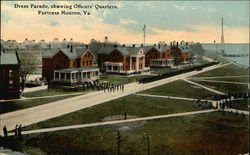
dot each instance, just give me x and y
(121, 59)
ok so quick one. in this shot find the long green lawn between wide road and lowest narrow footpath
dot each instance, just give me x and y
(132, 105)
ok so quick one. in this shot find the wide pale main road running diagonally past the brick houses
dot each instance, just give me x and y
(43, 112)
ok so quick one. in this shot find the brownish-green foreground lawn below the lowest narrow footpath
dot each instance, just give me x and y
(212, 134)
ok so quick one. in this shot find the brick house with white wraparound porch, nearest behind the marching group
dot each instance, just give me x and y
(69, 65)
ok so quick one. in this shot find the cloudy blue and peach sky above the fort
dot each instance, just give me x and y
(198, 21)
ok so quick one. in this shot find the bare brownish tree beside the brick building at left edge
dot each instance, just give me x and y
(28, 66)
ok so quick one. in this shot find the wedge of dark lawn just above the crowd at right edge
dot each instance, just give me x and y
(225, 87)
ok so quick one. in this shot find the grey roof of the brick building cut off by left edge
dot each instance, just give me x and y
(9, 58)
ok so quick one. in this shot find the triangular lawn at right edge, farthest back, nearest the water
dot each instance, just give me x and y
(229, 70)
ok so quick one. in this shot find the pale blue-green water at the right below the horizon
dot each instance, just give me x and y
(232, 49)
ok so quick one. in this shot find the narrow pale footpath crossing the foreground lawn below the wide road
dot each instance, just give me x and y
(115, 122)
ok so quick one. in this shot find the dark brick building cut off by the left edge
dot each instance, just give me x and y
(9, 75)
